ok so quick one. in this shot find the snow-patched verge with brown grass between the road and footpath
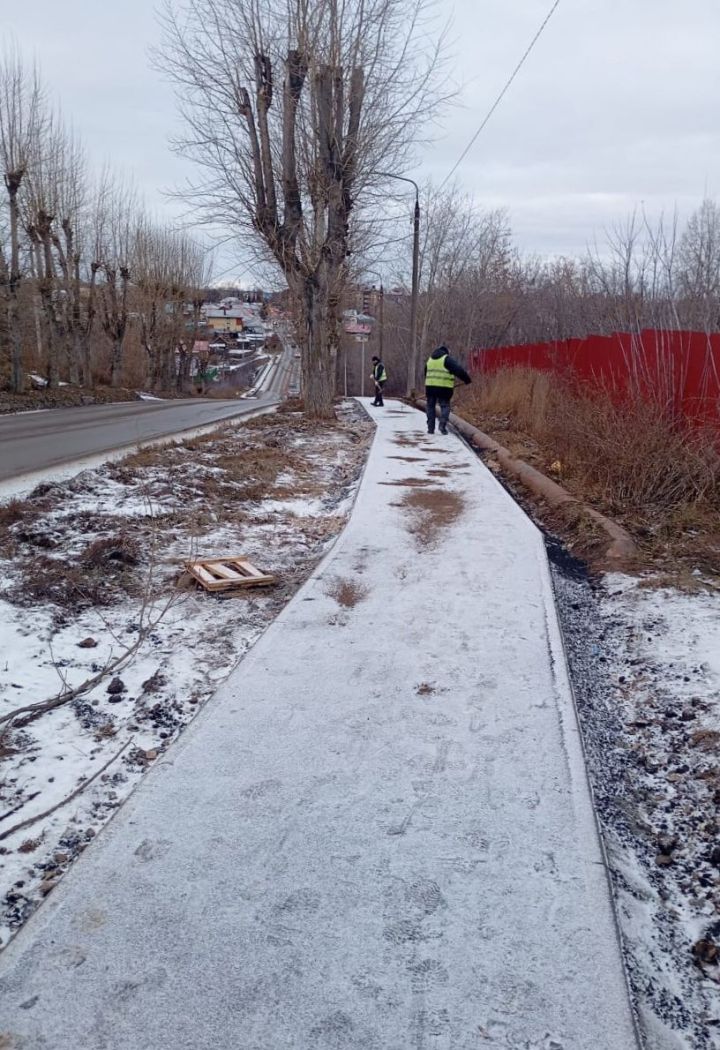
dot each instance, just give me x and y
(90, 570)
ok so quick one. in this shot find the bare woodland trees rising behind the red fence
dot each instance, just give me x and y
(479, 290)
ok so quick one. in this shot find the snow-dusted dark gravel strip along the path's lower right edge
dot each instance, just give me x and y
(646, 664)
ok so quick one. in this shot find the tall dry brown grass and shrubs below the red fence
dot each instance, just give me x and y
(626, 457)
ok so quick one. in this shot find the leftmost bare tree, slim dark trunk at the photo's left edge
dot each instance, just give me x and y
(22, 121)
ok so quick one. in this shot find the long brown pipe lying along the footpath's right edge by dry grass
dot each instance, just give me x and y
(623, 551)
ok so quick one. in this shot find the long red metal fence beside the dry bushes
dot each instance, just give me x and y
(679, 370)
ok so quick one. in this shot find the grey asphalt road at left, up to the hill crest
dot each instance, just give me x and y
(36, 442)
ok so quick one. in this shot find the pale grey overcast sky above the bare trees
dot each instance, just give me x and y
(618, 108)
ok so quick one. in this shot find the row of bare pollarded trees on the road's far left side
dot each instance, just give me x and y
(93, 289)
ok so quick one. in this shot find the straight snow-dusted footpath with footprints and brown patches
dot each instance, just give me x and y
(378, 836)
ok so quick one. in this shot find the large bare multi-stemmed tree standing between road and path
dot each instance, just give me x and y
(302, 104)
